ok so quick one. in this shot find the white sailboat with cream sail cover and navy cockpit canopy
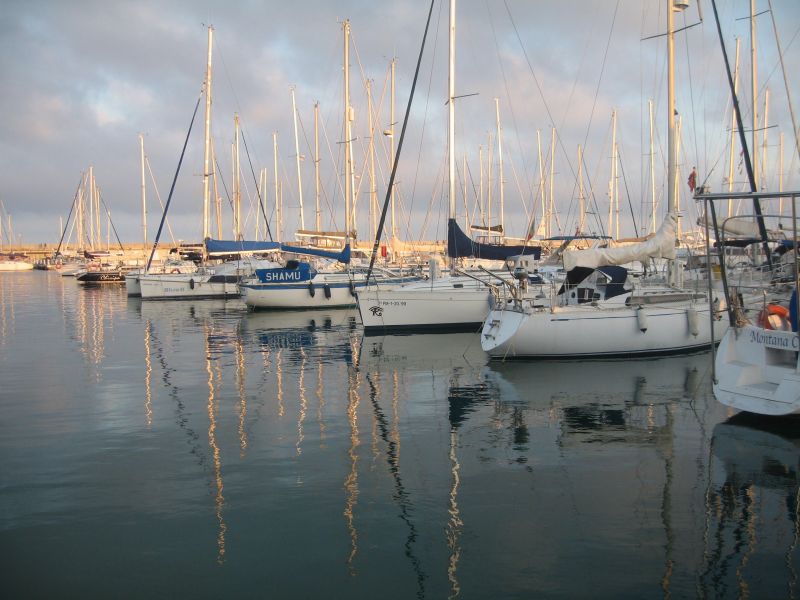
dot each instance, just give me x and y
(600, 311)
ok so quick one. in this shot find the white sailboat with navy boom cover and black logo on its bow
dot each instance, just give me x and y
(447, 301)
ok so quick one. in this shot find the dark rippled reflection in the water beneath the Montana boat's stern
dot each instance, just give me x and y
(753, 523)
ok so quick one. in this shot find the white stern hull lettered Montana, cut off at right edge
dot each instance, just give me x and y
(757, 370)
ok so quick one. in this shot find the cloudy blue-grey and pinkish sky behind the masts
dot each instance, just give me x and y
(82, 80)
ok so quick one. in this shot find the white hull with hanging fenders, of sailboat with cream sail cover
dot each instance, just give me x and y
(583, 331)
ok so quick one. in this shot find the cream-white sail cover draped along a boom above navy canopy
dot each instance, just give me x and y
(661, 245)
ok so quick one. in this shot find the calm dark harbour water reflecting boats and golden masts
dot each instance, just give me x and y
(193, 449)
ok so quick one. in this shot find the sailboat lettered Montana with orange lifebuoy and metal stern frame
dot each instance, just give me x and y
(757, 366)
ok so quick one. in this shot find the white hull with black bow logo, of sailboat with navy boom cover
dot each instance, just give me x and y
(446, 304)
